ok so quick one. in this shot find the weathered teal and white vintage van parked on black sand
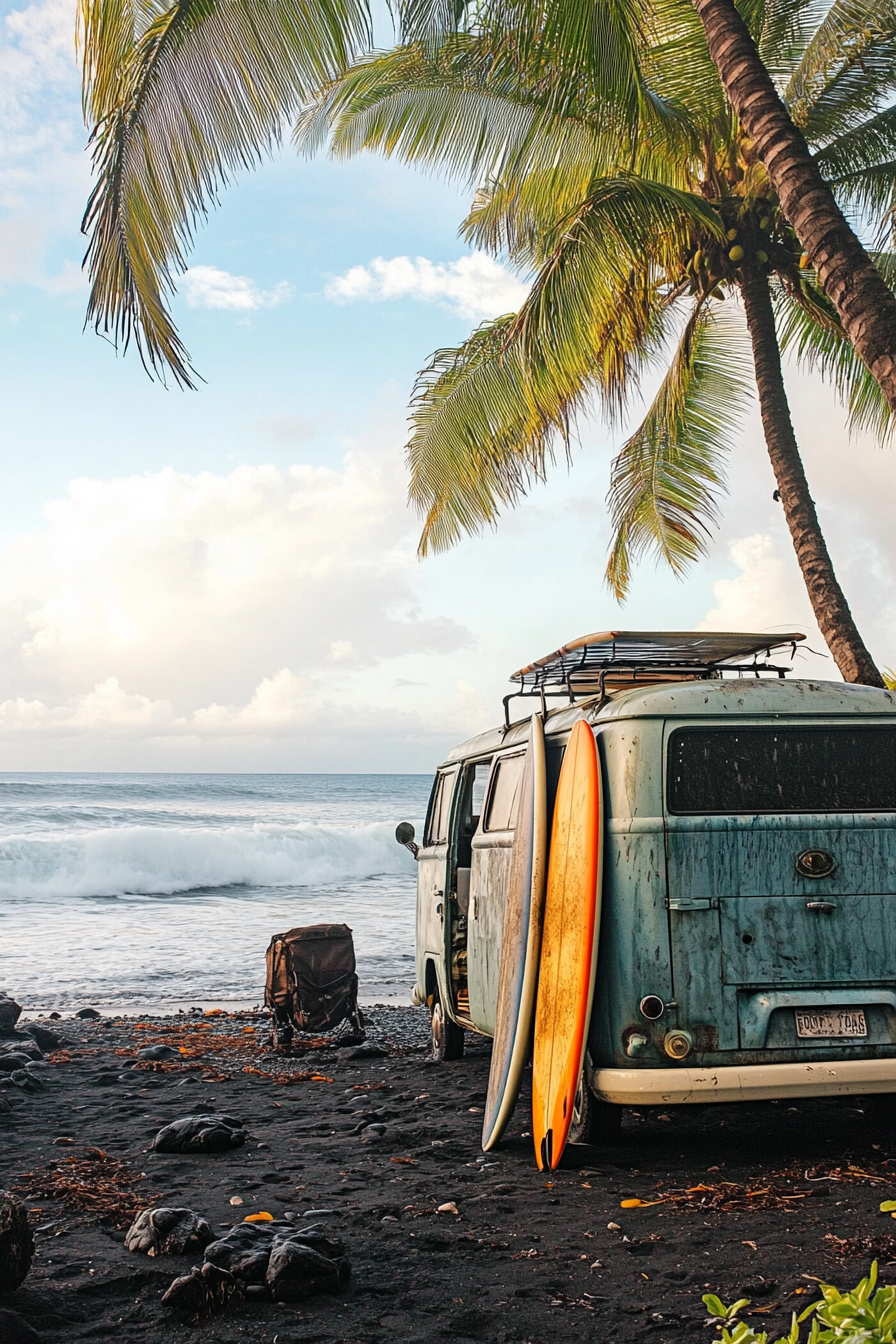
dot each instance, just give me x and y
(748, 941)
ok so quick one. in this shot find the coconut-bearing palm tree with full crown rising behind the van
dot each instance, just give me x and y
(637, 218)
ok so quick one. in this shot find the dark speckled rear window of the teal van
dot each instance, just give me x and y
(812, 769)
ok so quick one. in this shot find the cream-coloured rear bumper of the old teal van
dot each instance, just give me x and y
(744, 1083)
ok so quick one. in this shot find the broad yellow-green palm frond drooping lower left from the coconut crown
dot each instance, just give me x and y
(488, 416)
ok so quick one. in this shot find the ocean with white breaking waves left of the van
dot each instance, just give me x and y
(135, 892)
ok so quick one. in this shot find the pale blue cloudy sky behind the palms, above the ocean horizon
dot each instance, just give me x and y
(228, 579)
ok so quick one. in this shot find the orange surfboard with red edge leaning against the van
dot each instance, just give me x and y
(569, 946)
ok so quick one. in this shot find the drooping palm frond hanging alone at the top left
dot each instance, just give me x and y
(204, 92)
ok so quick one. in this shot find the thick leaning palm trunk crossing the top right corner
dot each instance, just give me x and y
(851, 280)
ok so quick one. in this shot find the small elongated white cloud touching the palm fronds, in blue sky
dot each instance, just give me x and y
(475, 287)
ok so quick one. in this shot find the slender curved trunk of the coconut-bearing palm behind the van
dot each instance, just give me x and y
(828, 603)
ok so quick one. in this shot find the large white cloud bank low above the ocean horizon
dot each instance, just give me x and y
(209, 607)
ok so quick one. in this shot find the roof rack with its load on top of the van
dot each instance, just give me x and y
(617, 659)
